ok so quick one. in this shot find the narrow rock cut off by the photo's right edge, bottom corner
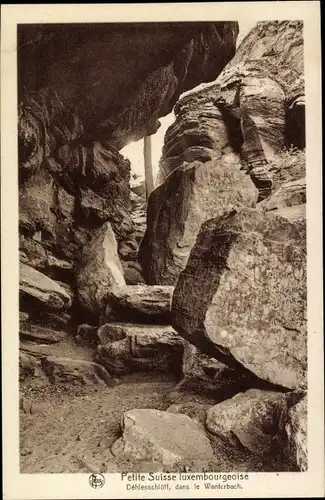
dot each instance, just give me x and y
(296, 431)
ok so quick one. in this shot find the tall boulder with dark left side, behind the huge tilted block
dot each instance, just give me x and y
(192, 194)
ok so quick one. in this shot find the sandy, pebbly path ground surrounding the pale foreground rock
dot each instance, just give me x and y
(78, 428)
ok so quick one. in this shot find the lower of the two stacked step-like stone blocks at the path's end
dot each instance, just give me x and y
(127, 348)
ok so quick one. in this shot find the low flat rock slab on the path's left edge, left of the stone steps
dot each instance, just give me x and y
(75, 372)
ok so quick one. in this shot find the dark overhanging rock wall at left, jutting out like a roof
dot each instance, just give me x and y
(72, 124)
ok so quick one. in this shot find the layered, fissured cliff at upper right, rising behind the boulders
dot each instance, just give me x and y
(259, 91)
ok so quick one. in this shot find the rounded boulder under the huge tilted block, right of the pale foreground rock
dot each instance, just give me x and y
(253, 418)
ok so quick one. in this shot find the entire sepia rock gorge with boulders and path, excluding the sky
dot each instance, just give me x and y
(168, 333)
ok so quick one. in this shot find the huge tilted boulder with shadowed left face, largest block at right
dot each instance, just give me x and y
(242, 296)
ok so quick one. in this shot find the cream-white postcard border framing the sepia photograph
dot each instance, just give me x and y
(71, 486)
